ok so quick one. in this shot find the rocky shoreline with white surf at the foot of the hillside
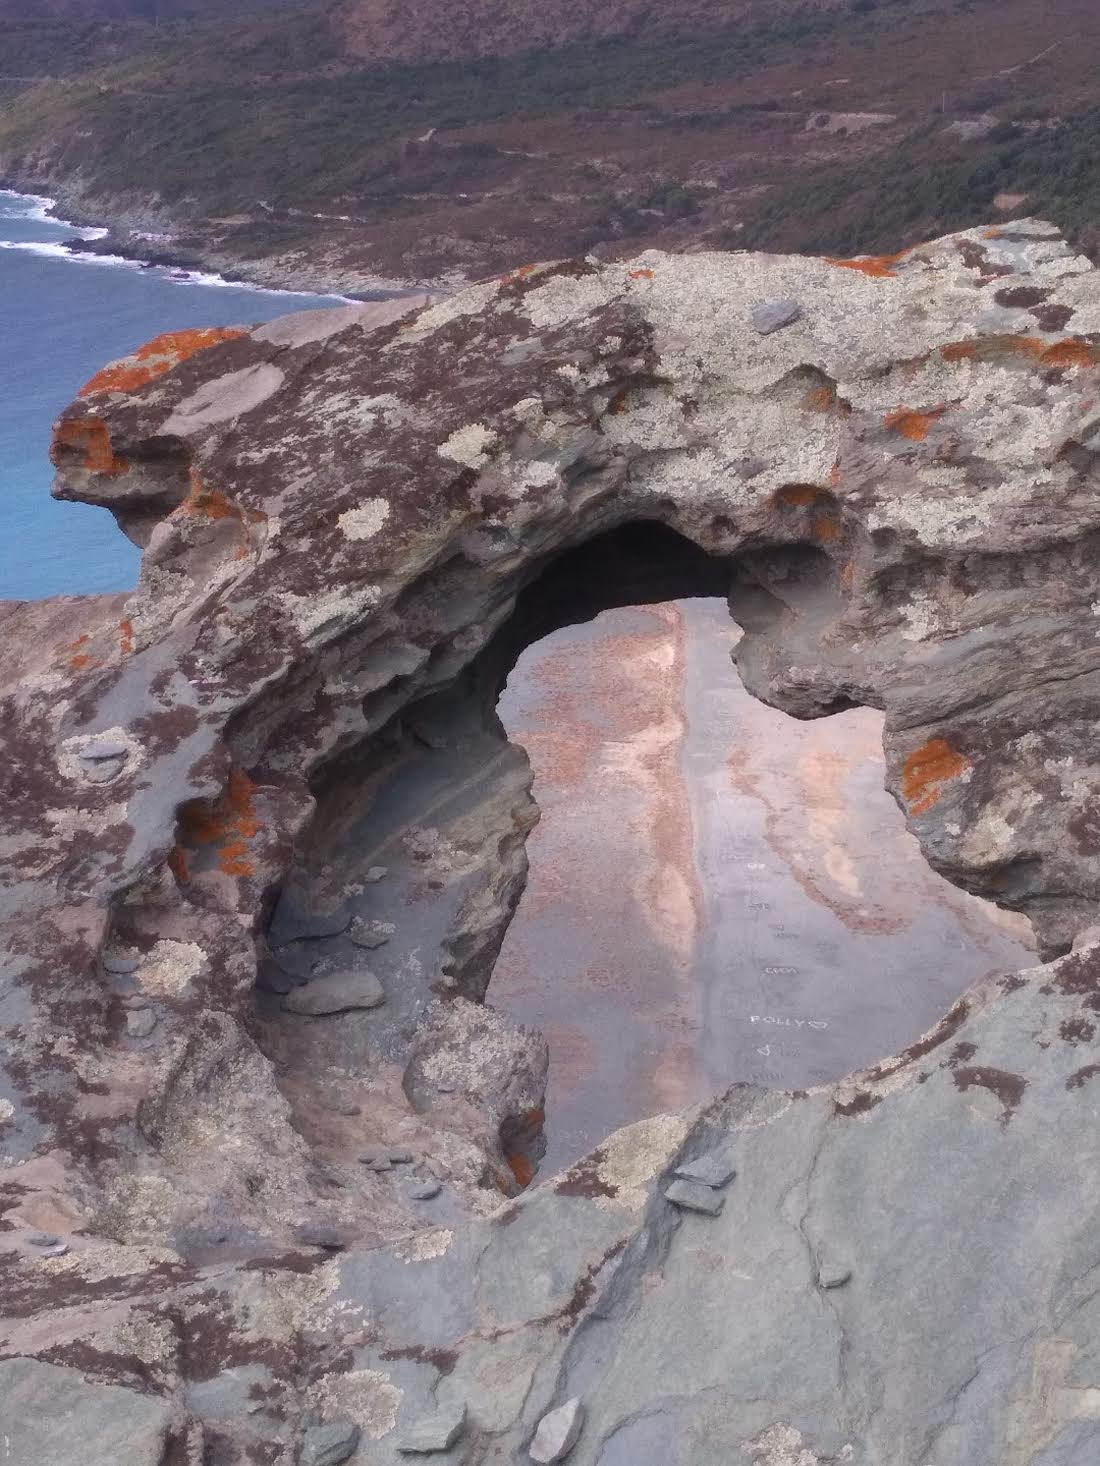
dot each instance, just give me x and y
(203, 265)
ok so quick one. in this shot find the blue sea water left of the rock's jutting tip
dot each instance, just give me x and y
(62, 317)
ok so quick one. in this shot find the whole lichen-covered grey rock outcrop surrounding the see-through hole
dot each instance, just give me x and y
(278, 765)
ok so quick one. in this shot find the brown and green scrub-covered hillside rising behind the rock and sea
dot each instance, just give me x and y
(356, 141)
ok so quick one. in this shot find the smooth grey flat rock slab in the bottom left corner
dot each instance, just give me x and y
(55, 1415)
